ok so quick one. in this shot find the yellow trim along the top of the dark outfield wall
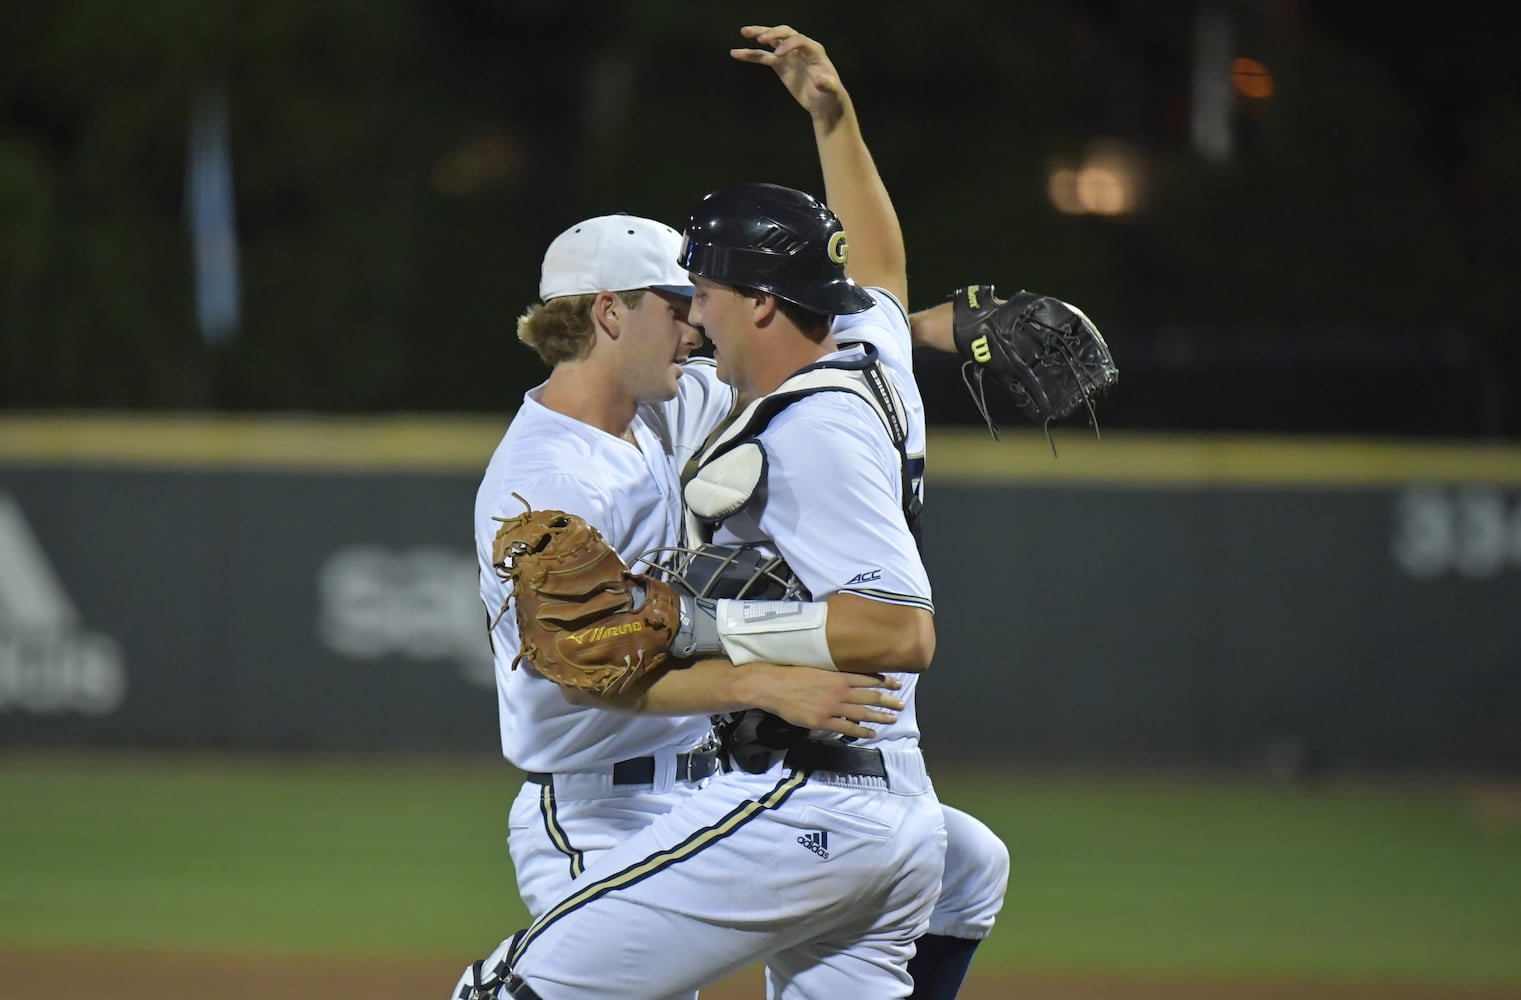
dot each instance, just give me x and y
(462, 445)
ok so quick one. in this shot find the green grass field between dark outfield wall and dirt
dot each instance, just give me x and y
(1151, 877)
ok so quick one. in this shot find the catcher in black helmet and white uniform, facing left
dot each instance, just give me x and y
(825, 859)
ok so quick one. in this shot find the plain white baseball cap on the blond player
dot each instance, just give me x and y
(614, 253)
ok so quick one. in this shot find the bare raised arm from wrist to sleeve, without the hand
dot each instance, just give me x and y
(856, 193)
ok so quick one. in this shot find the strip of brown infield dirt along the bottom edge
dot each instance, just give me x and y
(139, 976)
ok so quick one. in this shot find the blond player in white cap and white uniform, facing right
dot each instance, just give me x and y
(606, 436)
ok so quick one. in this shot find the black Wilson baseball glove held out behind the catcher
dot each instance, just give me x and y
(1043, 351)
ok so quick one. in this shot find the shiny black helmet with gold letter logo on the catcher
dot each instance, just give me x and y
(776, 240)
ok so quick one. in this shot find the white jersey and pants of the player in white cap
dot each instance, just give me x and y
(632, 497)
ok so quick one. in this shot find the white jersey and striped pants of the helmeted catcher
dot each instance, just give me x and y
(825, 877)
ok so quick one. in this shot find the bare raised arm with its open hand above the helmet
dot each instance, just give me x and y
(853, 186)
